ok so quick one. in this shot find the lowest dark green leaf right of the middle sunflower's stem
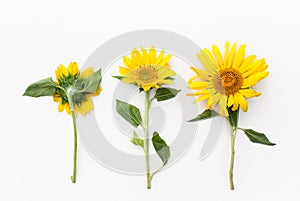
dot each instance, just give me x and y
(161, 148)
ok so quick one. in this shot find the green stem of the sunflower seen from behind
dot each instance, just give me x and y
(70, 99)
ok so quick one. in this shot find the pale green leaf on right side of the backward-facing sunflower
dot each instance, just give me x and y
(91, 83)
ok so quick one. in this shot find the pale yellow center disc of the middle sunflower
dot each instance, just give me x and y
(147, 73)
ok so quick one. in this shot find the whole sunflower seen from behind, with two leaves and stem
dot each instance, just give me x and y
(73, 91)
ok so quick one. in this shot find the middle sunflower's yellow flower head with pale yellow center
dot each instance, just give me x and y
(146, 70)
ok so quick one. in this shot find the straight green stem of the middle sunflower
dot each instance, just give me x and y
(146, 131)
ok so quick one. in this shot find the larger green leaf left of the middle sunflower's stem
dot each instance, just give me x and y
(130, 113)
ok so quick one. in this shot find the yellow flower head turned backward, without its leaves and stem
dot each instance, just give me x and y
(66, 78)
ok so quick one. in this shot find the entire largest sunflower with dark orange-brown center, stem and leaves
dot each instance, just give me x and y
(226, 82)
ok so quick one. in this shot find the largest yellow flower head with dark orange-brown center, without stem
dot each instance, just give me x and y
(227, 80)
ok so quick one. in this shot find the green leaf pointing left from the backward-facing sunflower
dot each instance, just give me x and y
(44, 87)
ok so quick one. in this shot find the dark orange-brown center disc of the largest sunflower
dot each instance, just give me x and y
(228, 81)
